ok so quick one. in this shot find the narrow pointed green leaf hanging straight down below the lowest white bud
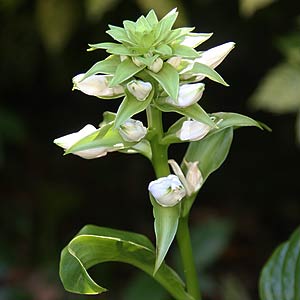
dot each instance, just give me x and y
(165, 225)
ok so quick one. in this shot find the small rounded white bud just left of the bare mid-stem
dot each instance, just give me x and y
(132, 130)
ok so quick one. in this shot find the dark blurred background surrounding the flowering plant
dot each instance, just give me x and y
(45, 197)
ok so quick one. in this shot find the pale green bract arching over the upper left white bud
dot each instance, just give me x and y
(106, 66)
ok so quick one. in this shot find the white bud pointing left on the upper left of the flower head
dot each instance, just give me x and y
(97, 85)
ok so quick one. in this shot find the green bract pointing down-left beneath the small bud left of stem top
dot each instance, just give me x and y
(130, 106)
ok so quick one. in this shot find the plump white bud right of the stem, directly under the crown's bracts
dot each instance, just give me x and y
(189, 94)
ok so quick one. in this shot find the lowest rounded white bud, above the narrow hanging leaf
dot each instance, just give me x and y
(167, 191)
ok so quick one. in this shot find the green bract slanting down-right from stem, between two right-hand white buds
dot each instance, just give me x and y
(194, 111)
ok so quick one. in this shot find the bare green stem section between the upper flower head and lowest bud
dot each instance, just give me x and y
(159, 151)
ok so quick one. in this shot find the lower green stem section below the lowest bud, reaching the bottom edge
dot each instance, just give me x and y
(185, 248)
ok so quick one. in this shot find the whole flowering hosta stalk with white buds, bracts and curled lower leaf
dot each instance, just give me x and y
(157, 70)
